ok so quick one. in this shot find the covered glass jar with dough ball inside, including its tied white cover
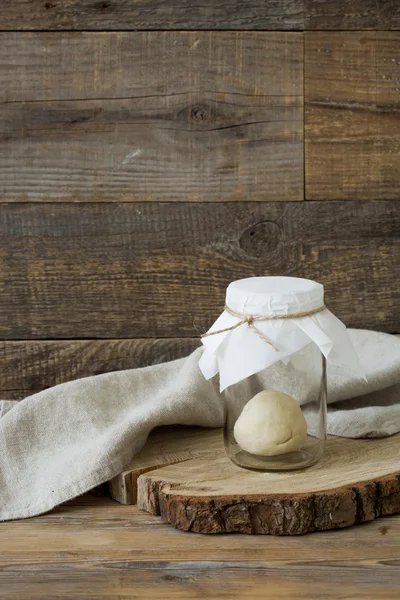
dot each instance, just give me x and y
(269, 347)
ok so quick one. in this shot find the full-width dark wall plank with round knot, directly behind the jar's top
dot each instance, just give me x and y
(158, 270)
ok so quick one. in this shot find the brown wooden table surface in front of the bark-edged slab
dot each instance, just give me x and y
(95, 548)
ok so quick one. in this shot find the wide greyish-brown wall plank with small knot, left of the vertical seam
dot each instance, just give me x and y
(151, 116)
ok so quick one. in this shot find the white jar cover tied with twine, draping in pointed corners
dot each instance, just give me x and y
(238, 353)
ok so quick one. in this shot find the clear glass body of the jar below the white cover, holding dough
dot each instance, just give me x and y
(284, 427)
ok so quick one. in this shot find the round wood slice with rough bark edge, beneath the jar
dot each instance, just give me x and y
(355, 481)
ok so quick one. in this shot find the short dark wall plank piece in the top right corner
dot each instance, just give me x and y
(352, 14)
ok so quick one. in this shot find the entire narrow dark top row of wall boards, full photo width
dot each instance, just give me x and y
(209, 14)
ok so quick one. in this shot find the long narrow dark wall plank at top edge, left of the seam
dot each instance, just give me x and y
(152, 14)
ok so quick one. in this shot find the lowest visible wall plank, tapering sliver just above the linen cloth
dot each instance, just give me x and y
(31, 366)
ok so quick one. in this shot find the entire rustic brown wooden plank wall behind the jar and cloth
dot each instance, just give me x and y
(151, 152)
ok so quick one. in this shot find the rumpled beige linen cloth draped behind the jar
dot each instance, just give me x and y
(63, 441)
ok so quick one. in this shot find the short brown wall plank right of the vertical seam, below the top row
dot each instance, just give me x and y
(352, 88)
